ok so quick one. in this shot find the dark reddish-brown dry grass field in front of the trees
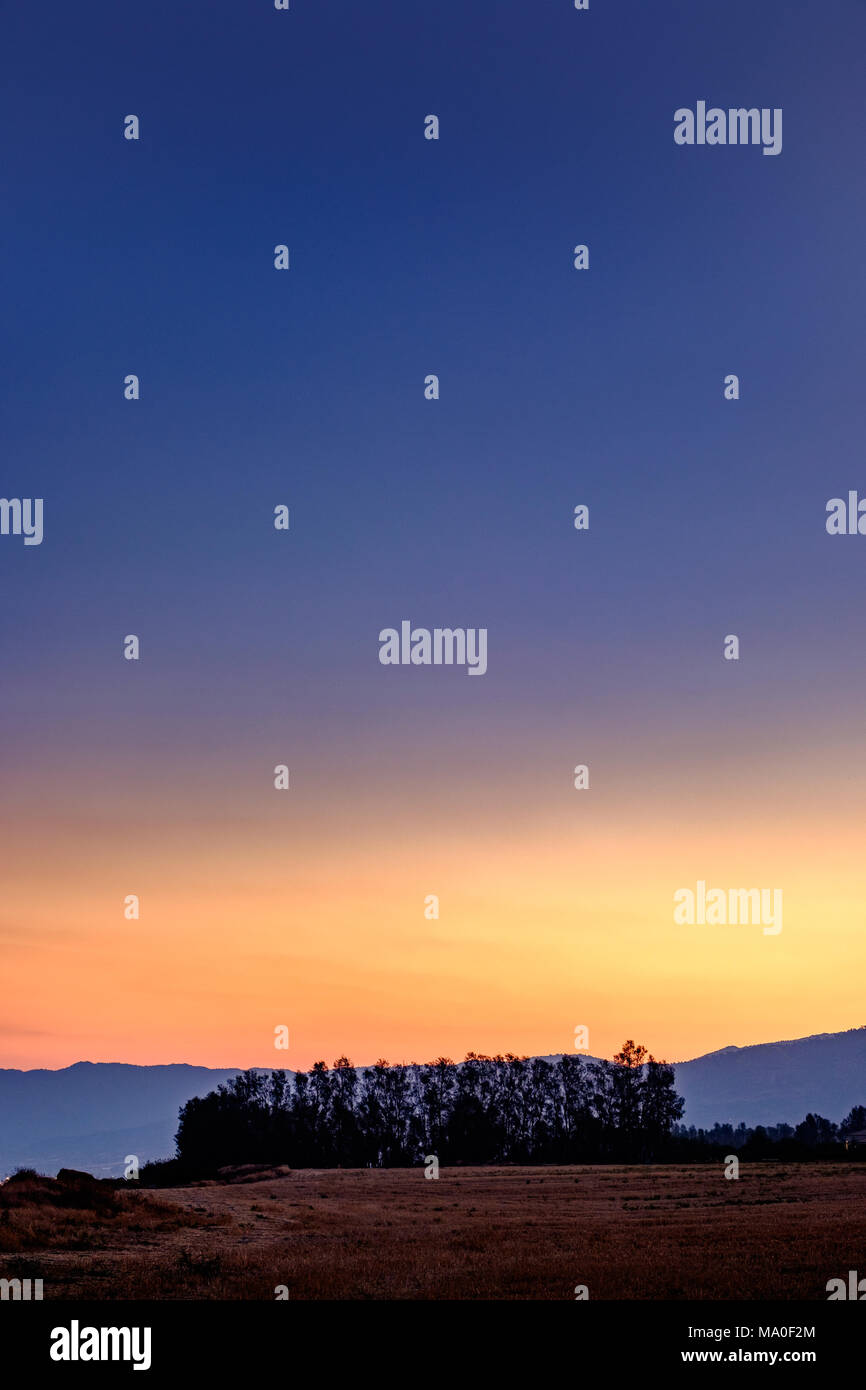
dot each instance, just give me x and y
(658, 1232)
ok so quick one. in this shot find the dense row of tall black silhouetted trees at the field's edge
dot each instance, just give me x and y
(487, 1110)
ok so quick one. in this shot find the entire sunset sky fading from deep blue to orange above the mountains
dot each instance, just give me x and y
(307, 908)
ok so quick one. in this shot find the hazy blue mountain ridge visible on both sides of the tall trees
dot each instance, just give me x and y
(92, 1115)
